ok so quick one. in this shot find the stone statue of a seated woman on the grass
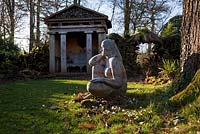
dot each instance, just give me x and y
(108, 72)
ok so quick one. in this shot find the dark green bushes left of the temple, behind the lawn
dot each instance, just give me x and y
(13, 62)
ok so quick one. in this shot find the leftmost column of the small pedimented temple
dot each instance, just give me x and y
(52, 53)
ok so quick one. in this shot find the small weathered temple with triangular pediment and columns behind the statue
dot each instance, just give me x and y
(75, 33)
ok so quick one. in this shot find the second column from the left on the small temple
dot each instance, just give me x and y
(63, 46)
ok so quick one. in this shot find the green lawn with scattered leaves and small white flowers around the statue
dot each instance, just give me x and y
(47, 106)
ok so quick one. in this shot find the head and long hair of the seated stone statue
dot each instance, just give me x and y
(109, 49)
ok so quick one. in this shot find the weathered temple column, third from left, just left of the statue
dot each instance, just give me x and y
(88, 49)
